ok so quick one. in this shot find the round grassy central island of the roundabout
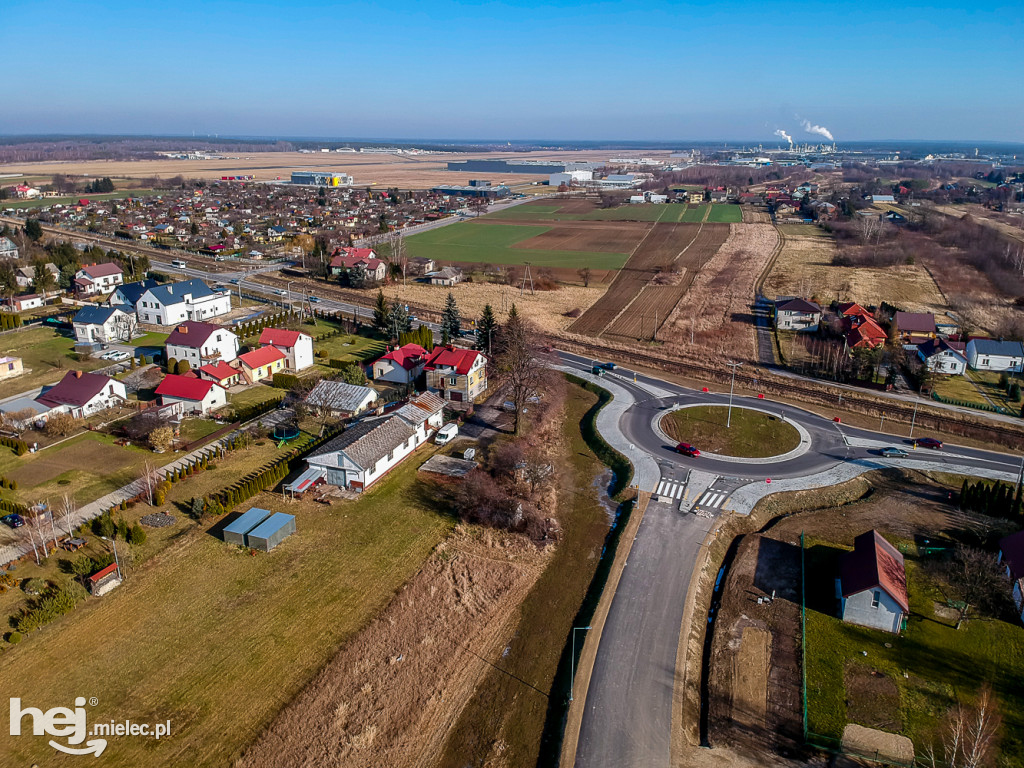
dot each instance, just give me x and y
(752, 434)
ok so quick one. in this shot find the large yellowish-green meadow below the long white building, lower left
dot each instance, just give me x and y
(219, 642)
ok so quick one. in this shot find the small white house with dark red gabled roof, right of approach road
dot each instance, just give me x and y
(873, 584)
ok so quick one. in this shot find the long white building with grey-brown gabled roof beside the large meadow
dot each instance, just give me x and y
(365, 452)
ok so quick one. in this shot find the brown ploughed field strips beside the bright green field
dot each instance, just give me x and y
(653, 282)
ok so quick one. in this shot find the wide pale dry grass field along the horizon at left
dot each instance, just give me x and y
(389, 170)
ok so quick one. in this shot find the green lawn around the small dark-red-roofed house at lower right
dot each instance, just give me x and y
(931, 664)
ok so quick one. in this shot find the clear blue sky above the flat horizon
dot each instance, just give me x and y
(734, 71)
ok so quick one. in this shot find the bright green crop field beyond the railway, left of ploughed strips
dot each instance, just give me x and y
(473, 243)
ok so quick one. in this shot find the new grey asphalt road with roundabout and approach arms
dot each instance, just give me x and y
(627, 719)
